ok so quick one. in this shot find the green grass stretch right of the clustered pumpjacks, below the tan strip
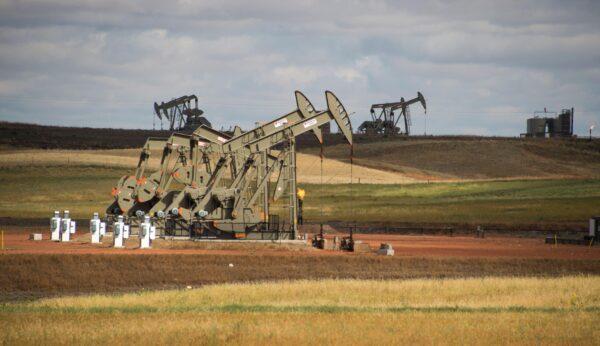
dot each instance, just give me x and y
(506, 202)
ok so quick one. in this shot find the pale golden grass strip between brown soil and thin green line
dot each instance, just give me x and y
(496, 293)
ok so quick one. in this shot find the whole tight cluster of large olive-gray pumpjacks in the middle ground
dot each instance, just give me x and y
(215, 185)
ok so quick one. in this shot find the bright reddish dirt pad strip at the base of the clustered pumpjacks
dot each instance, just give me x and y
(17, 242)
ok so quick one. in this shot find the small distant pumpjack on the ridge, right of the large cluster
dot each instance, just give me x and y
(384, 119)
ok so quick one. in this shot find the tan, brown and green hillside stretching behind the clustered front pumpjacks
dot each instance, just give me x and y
(475, 180)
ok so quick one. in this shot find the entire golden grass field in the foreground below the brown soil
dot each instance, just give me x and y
(466, 311)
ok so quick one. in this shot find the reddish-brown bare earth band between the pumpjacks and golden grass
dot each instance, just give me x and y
(32, 269)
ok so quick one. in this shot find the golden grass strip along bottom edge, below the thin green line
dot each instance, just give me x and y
(251, 328)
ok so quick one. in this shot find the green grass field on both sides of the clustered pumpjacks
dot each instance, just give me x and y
(36, 192)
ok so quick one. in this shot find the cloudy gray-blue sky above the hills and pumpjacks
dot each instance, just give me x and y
(482, 66)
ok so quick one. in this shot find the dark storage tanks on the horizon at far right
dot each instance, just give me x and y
(542, 125)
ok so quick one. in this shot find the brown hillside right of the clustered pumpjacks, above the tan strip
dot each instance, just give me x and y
(457, 158)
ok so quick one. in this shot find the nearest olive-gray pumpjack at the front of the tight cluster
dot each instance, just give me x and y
(232, 209)
